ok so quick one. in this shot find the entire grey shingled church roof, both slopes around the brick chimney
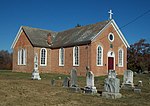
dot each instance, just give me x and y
(72, 37)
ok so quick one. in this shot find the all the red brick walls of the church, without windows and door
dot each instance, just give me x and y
(87, 56)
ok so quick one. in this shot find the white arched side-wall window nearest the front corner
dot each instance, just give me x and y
(76, 56)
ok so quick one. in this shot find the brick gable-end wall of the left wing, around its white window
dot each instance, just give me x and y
(24, 43)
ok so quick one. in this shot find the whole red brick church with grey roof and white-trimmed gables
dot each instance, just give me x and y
(101, 46)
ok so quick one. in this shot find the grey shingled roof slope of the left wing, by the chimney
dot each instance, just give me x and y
(38, 37)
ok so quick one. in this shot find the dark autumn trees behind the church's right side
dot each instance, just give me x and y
(139, 56)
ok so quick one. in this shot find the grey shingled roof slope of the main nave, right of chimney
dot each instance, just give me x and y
(79, 35)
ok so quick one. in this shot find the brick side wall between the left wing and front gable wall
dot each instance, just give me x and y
(68, 64)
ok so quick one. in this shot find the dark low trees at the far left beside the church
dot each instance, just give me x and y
(5, 60)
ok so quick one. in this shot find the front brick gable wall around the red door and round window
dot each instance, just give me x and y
(105, 43)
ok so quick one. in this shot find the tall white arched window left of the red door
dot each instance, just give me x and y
(99, 57)
